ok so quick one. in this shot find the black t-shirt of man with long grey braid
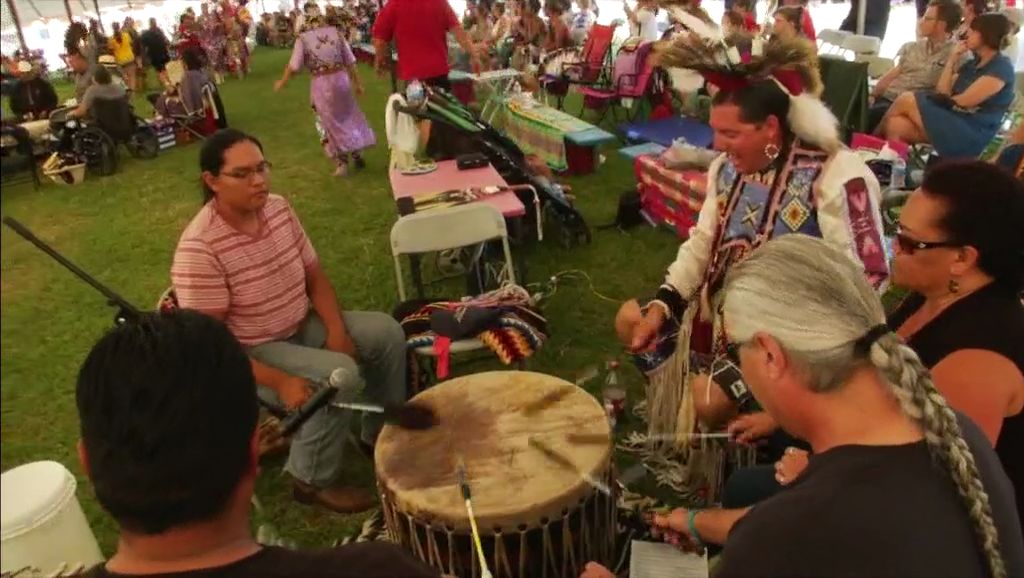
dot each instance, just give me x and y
(875, 512)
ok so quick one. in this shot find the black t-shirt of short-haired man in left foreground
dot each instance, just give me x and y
(366, 560)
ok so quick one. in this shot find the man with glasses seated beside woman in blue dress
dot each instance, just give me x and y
(920, 64)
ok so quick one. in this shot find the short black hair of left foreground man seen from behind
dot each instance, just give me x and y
(168, 409)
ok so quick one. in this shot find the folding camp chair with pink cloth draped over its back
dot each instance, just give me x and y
(631, 78)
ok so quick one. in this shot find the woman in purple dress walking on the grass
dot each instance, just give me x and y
(323, 51)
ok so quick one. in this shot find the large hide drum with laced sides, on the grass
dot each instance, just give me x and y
(538, 516)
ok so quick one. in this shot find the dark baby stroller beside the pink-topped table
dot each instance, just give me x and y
(468, 134)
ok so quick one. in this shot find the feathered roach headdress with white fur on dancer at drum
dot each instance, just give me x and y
(741, 60)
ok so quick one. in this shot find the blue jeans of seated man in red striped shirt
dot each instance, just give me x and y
(317, 448)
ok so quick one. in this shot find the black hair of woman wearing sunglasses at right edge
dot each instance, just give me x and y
(985, 210)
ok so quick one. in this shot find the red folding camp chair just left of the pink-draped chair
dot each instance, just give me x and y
(586, 67)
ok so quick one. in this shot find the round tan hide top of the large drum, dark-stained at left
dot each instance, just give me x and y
(485, 420)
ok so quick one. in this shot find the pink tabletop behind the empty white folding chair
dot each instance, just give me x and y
(449, 178)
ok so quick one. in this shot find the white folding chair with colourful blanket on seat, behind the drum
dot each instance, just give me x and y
(440, 230)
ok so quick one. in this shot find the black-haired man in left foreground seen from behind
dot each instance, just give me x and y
(168, 414)
